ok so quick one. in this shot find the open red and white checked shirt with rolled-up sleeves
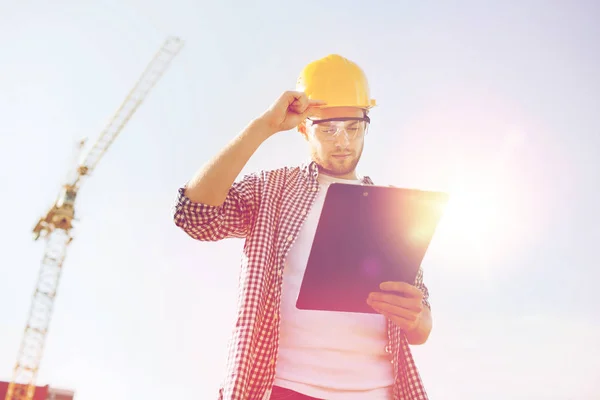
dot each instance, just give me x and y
(267, 209)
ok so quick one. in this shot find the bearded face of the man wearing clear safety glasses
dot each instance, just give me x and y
(336, 146)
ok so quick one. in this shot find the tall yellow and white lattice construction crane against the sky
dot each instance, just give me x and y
(55, 227)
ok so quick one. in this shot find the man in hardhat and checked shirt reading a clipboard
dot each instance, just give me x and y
(277, 351)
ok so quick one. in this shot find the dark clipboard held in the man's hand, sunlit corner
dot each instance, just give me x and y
(367, 235)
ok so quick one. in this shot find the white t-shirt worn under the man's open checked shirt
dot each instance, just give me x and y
(329, 355)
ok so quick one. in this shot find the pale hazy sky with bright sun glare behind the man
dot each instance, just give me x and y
(495, 102)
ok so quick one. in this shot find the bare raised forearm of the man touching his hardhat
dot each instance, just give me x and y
(211, 184)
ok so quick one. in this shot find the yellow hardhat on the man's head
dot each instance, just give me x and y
(337, 81)
